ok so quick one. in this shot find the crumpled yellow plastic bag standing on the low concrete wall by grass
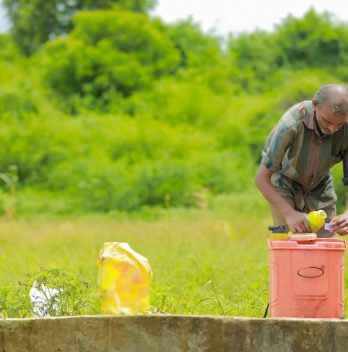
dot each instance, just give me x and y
(124, 279)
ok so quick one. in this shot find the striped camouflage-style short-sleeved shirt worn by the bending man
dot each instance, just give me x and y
(301, 157)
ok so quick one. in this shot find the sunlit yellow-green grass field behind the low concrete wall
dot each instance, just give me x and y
(202, 265)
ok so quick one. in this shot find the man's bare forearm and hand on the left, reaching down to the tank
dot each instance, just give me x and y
(297, 221)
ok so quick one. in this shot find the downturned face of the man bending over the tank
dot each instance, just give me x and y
(327, 121)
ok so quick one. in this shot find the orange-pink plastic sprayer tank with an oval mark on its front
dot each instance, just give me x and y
(307, 278)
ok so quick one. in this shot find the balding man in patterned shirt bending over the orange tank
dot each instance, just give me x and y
(294, 174)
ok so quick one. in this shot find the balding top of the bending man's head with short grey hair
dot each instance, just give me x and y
(334, 96)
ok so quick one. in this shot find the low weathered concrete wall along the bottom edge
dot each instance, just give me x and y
(167, 333)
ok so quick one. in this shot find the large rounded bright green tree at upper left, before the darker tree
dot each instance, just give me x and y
(109, 54)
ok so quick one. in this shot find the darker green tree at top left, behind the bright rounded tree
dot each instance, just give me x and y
(36, 21)
